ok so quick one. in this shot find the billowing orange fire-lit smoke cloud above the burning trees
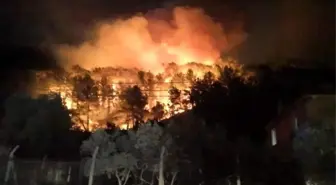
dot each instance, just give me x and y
(149, 41)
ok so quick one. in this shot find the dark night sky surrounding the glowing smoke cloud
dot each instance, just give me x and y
(277, 29)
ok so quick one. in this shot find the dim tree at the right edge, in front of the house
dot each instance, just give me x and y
(314, 143)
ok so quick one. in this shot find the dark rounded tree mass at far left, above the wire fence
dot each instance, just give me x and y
(41, 126)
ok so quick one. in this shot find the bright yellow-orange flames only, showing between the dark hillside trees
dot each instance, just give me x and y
(120, 78)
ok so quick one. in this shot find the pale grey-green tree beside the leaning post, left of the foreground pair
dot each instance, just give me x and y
(114, 155)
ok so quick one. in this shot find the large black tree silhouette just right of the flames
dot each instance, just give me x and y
(232, 96)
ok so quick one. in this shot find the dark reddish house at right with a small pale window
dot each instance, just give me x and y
(295, 117)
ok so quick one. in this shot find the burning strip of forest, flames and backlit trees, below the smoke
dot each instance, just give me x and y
(107, 84)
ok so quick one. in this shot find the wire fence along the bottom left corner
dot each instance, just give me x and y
(43, 172)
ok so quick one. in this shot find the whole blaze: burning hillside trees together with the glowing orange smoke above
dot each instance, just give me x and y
(161, 52)
